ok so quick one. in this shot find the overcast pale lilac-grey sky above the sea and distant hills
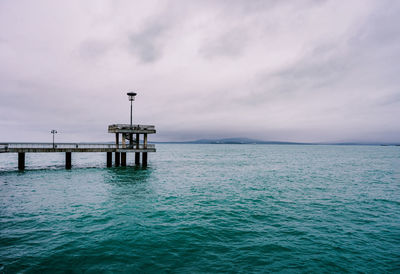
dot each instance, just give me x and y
(305, 71)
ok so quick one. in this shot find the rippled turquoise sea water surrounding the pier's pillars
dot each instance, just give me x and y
(205, 208)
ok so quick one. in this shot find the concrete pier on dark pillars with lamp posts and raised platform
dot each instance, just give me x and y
(129, 138)
